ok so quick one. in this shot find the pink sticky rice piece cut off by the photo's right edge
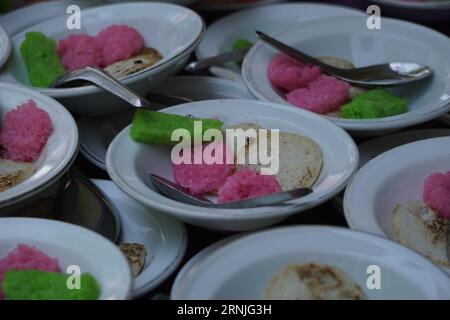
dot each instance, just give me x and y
(436, 193)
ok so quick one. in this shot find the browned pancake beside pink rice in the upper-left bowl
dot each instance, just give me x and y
(147, 58)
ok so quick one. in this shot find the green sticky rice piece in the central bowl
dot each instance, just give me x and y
(156, 127)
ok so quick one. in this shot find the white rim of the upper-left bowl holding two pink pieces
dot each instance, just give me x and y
(89, 89)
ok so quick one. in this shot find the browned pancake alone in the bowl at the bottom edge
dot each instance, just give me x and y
(312, 281)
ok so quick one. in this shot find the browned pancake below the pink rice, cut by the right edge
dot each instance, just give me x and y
(418, 227)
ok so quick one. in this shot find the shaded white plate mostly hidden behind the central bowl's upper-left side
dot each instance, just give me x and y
(96, 133)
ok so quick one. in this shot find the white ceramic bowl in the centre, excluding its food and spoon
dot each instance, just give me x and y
(130, 172)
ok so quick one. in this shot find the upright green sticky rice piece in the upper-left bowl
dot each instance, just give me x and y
(42, 61)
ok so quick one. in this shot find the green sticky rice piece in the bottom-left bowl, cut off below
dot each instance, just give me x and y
(43, 285)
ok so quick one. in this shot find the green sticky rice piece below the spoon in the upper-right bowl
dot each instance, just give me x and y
(377, 103)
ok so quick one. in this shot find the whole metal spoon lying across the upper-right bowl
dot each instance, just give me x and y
(388, 74)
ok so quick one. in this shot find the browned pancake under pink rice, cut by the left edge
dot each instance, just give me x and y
(12, 173)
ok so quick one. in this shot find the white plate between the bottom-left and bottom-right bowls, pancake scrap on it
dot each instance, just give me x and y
(164, 238)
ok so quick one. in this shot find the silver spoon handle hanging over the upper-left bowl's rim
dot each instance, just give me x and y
(105, 81)
